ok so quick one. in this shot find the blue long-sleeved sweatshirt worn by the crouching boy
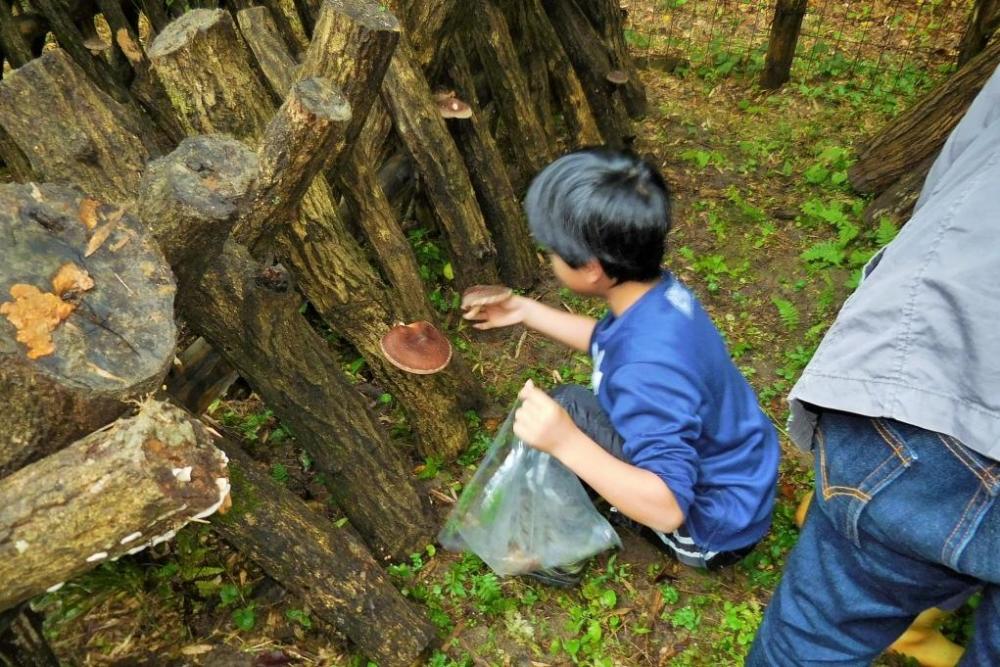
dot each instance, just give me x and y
(665, 378)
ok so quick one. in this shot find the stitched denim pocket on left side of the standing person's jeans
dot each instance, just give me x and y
(866, 456)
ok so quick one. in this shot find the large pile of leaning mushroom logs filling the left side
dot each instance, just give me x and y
(226, 165)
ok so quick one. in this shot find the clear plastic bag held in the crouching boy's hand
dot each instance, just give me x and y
(524, 511)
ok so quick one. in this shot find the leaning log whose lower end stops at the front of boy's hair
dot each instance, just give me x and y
(531, 148)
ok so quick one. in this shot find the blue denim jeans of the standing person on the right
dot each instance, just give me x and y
(903, 520)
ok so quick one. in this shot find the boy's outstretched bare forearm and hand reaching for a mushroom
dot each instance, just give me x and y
(569, 329)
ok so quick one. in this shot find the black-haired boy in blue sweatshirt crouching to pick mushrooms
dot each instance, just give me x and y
(672, 435)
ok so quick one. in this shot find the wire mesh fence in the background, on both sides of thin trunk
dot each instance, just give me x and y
(878, 43)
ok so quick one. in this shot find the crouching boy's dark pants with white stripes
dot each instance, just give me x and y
(588, 415)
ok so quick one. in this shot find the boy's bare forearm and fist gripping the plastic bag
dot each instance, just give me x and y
(638, 493)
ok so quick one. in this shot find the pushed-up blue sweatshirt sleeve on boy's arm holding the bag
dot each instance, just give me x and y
(655, 409)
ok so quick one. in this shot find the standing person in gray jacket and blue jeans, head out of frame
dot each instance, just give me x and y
(901, 407)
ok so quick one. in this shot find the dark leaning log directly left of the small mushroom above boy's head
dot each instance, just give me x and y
(592, 61)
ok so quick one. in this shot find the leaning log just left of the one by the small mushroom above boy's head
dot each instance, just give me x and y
(542, 41)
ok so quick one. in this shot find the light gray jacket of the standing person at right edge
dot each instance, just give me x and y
(919, 340)
